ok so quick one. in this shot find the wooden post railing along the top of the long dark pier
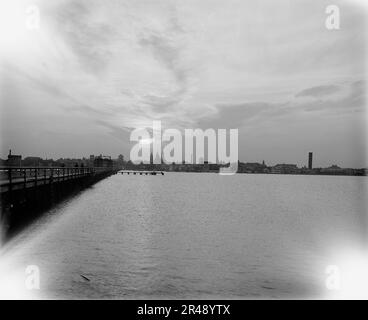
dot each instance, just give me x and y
(25, 177)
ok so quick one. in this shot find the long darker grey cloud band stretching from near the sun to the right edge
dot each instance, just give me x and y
(321, 100)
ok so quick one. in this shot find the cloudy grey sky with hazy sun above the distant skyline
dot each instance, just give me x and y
(94, 70)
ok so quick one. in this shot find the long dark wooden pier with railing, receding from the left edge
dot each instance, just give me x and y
(27, 192)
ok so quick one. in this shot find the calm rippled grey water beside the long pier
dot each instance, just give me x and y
(195, 235)
